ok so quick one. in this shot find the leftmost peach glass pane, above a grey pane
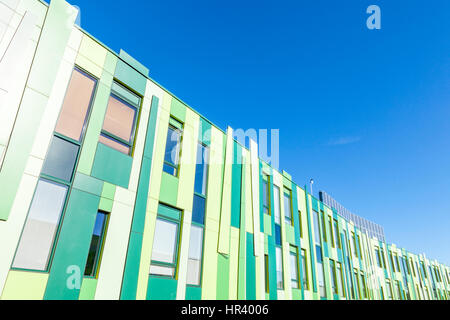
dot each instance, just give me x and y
(76, 105)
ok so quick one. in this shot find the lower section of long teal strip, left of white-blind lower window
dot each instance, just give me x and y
(130, 277)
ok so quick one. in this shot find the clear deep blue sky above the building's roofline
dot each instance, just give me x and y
(365, 113)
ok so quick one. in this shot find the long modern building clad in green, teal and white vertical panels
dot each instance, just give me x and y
(113, 188)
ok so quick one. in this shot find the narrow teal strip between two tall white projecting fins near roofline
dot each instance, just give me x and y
(236, 182)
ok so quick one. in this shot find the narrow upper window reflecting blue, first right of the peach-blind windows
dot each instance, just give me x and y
(173, 148)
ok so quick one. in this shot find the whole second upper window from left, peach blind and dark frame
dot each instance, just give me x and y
(119, 125)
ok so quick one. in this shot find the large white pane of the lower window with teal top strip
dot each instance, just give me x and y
(165, 241)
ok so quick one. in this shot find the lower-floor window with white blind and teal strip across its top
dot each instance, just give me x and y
(165, 242)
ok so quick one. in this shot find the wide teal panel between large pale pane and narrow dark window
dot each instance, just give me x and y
(79, 220)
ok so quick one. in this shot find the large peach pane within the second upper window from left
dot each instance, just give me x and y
(119, 119)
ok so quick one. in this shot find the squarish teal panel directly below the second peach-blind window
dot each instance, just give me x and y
(112, 166)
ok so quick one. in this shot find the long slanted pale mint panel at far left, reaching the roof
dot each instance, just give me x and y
(47, 59)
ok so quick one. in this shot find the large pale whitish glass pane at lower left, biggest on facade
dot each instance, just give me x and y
(40, 228)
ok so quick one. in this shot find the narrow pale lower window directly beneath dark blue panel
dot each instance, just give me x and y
(195, 256)
